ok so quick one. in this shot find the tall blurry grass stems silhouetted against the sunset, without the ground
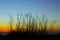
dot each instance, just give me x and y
(29, 23)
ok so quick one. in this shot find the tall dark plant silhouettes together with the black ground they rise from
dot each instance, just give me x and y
(32, 29)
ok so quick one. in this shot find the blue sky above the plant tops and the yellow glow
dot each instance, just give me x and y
(51, 8)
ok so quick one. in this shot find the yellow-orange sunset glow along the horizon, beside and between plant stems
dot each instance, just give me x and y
(4, 27)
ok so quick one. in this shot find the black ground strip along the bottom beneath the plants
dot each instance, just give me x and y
(27, 36)
